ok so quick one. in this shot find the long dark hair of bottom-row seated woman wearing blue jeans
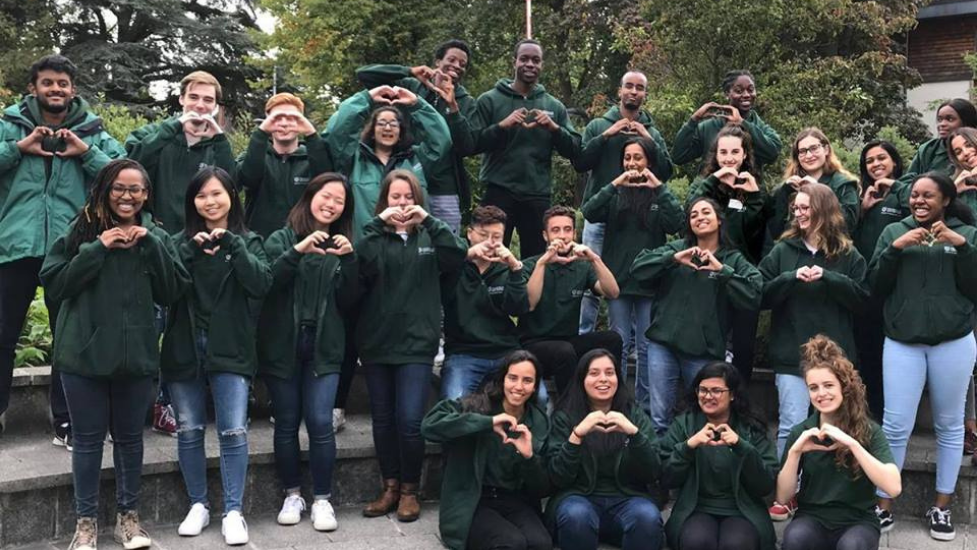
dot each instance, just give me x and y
(576, 405)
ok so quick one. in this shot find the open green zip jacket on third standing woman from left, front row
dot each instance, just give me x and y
(278, 324)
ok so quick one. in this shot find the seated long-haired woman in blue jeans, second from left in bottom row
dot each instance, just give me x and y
(603, 457)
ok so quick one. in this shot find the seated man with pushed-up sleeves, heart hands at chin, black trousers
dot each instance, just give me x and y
(559, 277)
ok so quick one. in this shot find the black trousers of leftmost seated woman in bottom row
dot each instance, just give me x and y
(506, 522)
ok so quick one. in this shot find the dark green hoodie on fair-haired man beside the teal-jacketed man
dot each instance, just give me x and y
(171, 163)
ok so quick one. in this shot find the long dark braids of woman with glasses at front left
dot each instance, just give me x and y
(96, 215)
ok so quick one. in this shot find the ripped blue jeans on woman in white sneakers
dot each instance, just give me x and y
(230, 392)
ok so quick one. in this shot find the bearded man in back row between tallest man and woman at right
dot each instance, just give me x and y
(603, 141)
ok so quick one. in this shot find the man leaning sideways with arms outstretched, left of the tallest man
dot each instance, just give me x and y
(449, 188)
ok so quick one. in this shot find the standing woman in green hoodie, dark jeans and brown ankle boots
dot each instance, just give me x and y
(403, 255)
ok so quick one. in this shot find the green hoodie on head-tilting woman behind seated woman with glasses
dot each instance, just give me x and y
(693, 312)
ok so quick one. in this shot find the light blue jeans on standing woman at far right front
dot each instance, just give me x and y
(945, 369)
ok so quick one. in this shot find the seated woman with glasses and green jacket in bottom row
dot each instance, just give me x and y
(719, 458)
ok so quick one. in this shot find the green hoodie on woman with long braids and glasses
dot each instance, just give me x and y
(107, 322)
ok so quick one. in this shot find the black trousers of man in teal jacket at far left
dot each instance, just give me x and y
(18, 283)
